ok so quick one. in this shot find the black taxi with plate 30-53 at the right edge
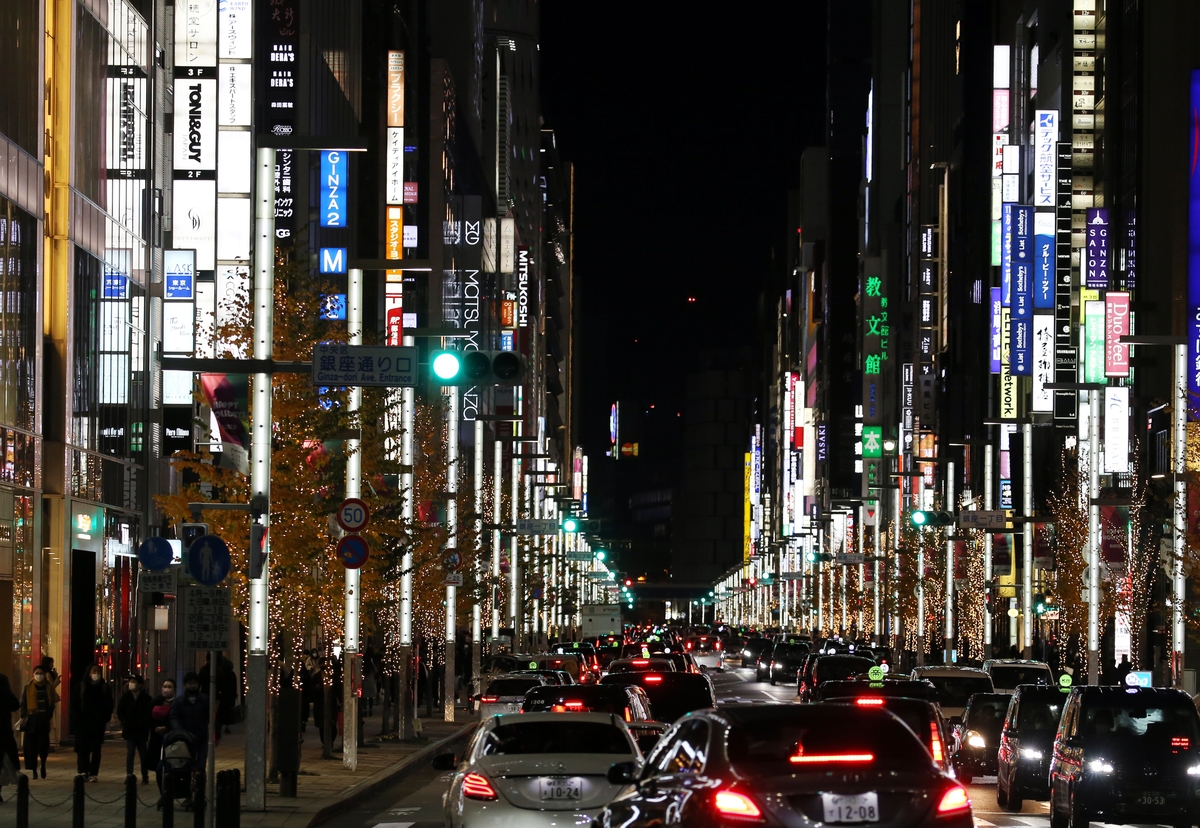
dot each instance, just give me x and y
(1126, 755)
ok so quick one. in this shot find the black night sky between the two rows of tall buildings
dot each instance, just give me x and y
(686, 130)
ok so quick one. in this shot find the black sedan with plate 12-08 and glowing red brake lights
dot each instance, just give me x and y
(787, 765)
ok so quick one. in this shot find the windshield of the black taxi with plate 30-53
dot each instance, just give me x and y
(1155, 723)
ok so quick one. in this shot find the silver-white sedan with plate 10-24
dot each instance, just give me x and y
(537, 771)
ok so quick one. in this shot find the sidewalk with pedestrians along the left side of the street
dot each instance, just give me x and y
(323, 785)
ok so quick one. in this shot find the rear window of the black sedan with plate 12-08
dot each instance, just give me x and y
(775, 741)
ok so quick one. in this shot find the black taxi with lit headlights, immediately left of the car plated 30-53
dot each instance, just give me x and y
(1027, 743)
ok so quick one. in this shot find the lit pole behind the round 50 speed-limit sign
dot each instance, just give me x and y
(352, 597)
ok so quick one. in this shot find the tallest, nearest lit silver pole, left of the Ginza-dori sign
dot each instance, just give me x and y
(261, 478)
